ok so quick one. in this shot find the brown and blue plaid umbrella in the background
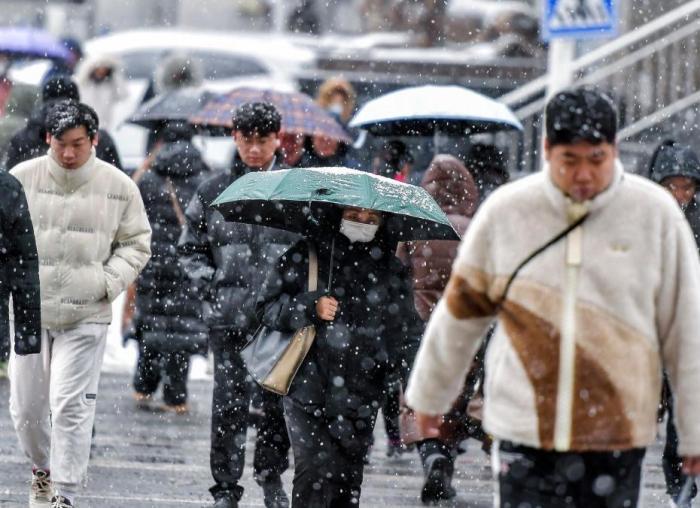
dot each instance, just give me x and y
(300, 114)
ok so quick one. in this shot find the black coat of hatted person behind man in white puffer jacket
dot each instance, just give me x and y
(30, 143)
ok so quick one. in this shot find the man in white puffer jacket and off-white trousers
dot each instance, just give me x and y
(93, 238)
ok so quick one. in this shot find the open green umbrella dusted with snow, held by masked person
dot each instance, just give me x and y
(298, 199)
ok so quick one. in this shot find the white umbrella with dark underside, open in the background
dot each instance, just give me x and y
(429, 110)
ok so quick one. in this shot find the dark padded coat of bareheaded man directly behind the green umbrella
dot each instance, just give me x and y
(227, 262)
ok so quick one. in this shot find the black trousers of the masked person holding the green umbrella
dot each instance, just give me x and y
(328, 459)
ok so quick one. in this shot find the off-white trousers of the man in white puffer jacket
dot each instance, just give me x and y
(52, 401)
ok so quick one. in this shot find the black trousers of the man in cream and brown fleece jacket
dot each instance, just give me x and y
(546, 479)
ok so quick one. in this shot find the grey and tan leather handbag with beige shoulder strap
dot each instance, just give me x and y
(273, 357)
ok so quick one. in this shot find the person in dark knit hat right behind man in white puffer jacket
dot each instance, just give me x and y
(30, 142)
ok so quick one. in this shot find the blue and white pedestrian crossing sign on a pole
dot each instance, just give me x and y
(579, 18)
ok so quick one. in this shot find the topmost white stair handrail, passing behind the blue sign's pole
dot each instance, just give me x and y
(539, 85)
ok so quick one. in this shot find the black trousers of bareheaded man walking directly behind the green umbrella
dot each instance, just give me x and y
(230, 418)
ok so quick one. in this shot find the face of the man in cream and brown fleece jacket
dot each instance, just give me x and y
(581, 170)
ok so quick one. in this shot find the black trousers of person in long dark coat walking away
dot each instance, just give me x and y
(170, 368)
